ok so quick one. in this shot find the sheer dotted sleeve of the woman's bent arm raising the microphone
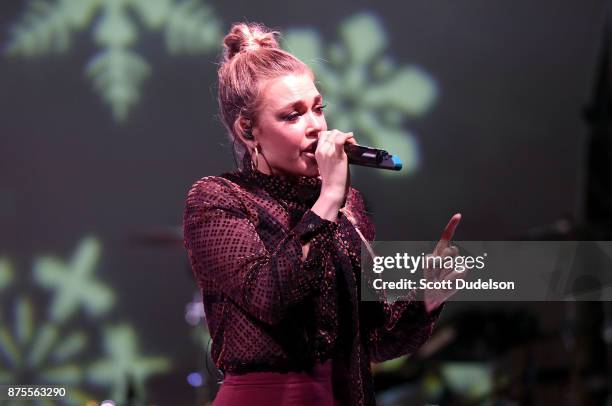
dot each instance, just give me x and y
(225, 250)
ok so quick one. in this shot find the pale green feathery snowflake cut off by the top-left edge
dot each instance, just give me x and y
(117, 72)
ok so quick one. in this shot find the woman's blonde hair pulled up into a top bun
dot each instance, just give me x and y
(251, 55)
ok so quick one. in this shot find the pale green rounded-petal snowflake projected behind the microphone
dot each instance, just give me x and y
(365, 90)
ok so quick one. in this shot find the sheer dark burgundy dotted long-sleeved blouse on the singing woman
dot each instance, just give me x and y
(266, 309)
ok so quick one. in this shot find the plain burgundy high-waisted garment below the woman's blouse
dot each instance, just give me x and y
(275, 388)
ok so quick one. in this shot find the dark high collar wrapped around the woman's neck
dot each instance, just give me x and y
(295, 189)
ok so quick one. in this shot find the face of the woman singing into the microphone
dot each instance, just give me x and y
(288, 125)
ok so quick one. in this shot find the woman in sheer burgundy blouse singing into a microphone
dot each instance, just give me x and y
(275, 246)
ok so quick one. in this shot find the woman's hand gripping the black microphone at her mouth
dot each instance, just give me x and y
(333, 165)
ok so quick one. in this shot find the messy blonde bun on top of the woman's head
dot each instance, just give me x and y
(248, 37)
